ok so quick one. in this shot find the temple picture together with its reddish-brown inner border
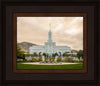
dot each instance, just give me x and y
(33, 37)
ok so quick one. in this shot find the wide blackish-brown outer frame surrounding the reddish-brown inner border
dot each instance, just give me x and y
(89, 77)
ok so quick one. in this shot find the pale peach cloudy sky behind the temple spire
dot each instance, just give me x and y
(66, 31)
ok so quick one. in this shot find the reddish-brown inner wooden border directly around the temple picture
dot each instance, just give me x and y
(84, 15)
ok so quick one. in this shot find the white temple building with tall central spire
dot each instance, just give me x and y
(49, 47)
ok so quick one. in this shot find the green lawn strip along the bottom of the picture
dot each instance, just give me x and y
(31, 66)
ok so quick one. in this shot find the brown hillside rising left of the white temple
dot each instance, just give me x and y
(25, 46)
